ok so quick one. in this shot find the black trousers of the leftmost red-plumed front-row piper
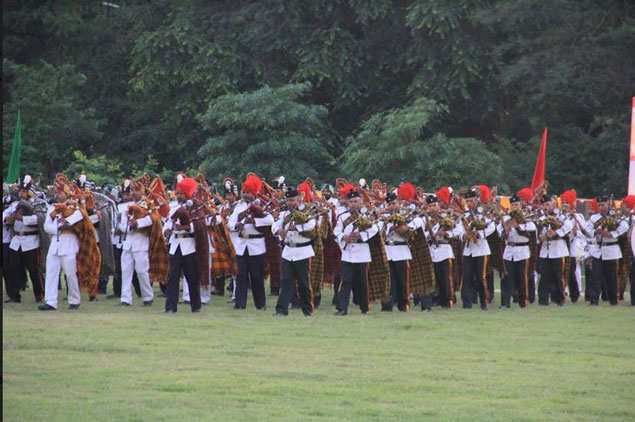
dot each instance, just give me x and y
(187, 265)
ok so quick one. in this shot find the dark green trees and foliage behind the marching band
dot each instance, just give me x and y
(433, 91)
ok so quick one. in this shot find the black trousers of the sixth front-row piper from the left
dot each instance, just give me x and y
(293, 271)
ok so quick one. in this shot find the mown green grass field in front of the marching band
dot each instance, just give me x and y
(111, 363)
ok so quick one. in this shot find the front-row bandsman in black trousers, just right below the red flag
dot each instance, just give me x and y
(555, 227)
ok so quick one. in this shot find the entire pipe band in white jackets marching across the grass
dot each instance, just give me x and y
(397, 246)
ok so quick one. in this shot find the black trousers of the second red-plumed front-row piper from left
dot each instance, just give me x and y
(250, 271)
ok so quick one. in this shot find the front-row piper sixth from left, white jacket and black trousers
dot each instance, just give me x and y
(295, 228)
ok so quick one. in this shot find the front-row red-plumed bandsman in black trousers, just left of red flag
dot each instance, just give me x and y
(518, 233)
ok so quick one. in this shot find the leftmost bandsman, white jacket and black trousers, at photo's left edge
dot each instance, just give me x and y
(24, 249)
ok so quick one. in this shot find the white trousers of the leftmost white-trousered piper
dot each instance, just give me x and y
(55, 263)
